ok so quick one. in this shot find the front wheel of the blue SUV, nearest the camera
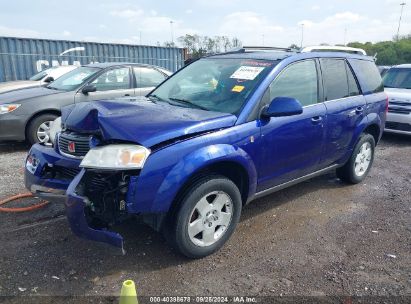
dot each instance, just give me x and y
(207, 215)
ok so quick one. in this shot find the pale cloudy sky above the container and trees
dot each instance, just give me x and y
(269, 23)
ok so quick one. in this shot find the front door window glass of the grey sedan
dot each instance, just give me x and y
(115, 79)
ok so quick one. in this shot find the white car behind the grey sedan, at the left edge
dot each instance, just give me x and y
(40, 79)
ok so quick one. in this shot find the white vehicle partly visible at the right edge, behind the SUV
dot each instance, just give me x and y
(397, 84)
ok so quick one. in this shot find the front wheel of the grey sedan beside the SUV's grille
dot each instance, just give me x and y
(38, 128)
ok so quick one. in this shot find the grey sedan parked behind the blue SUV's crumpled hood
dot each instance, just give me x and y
(27, 114)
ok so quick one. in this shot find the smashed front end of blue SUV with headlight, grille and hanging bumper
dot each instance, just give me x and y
(92, 176)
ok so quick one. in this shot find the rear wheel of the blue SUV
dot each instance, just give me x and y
(359, 165)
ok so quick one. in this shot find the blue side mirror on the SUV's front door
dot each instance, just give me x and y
(282, 106)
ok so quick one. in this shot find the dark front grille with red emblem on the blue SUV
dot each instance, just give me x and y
(80, 142)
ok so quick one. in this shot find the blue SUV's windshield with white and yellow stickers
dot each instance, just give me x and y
(214, 84)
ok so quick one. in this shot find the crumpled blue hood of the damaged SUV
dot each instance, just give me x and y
(141, 121)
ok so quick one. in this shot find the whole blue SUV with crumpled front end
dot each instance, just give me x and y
(219, 133)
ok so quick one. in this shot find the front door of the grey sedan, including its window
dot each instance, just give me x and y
(112, 83)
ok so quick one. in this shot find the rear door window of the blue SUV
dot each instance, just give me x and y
(334, 73)
